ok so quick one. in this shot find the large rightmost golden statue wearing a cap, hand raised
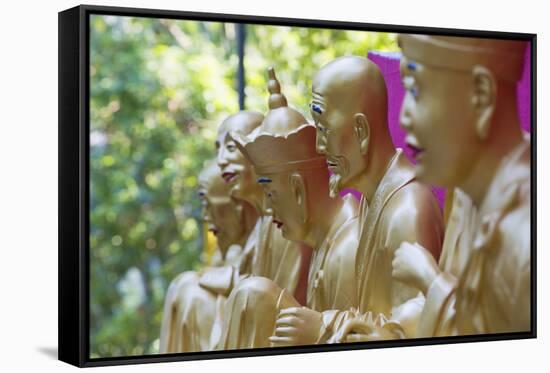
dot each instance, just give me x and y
(460, 114)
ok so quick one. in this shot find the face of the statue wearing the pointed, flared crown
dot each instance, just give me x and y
(287, 205)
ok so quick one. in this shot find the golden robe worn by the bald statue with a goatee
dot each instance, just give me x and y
(401, 210)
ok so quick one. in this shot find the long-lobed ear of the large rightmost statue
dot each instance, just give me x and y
(483, 99)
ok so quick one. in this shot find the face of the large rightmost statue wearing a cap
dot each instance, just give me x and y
(439, 118)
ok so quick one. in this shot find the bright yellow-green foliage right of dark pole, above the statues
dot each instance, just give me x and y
(297, 53)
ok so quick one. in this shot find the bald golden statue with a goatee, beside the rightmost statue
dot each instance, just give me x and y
(349, 107)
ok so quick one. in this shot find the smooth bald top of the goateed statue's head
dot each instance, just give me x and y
(353, 84)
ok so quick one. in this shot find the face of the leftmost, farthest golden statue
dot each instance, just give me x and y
(223, 215)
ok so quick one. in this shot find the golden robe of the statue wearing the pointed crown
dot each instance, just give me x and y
(252, 307)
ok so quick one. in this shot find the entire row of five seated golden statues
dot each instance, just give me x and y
(300, 265)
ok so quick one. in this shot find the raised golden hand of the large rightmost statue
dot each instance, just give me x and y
(415, 266)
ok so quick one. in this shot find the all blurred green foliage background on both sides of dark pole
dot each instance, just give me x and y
(159, 88)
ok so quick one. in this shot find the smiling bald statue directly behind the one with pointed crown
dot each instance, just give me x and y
(266, 253)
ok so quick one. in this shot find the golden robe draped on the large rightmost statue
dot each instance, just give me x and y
(485, 283)
